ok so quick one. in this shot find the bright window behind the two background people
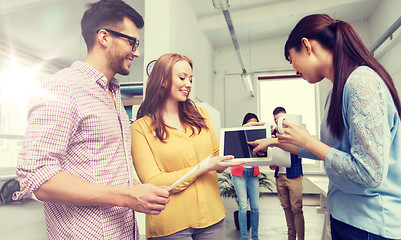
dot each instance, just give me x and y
(298, 97)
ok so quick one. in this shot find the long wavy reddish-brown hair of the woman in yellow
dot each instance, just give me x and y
(158, 89)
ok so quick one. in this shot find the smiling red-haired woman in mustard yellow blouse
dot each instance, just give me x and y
(170, 137)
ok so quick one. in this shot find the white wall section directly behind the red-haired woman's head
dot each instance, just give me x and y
(171, 27)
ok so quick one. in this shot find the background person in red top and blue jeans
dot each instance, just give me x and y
(246, 183)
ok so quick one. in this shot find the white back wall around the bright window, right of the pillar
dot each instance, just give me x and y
(266, 57)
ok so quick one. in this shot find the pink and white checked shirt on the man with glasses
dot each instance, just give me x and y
(74, 126)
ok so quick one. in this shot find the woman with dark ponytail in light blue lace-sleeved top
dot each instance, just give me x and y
(360, 131)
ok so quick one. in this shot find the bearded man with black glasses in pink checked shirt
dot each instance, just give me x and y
(76, 156)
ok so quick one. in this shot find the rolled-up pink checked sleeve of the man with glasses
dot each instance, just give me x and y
(50, 127)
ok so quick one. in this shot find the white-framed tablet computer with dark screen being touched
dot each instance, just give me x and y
(234, 141)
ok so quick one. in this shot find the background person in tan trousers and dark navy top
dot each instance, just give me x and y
(289, 190)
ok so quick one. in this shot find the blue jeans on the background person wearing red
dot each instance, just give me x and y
(247, 187)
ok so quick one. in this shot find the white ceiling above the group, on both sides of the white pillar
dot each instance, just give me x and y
(50, 29)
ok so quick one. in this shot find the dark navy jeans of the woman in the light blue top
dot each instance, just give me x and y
(343, 231)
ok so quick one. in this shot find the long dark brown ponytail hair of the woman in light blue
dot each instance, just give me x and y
(349, 52)
